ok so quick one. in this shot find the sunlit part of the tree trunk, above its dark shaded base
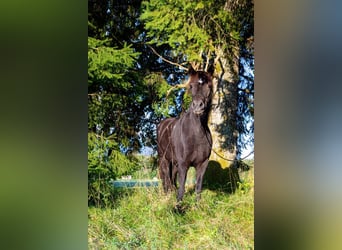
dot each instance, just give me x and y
(222, 119)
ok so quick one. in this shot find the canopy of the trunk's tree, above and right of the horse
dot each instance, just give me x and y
(206, 32)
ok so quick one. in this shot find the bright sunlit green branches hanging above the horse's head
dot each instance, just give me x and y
(189, 27)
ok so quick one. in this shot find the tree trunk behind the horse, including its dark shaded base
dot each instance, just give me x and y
(223, 127)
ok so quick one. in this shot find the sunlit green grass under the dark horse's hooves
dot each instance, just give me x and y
(145, 218)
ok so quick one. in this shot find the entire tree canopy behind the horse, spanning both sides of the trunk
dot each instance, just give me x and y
(138, 50)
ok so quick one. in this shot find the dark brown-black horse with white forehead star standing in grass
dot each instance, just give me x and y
(186, 141)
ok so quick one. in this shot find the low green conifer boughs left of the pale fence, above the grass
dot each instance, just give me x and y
(104, 165)
